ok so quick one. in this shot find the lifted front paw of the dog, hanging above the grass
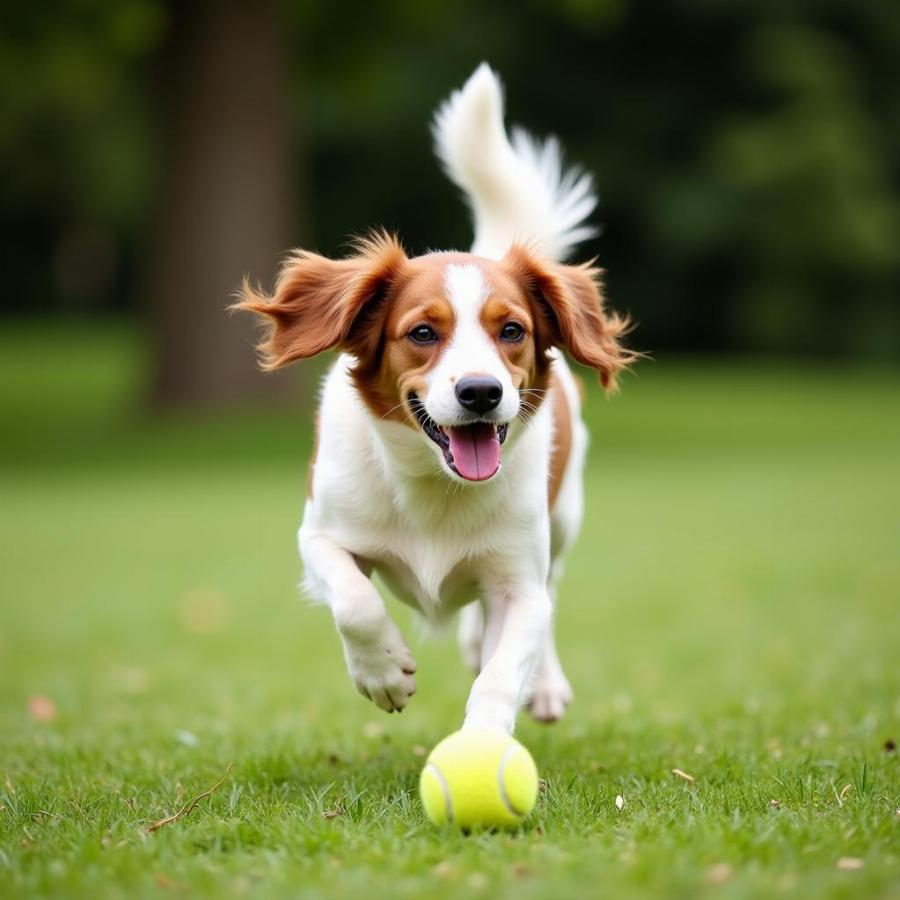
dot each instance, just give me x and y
(381, 667)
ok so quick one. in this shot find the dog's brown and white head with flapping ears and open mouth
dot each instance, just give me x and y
(449, 344)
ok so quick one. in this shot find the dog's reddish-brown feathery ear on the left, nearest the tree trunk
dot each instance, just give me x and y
(319, 303)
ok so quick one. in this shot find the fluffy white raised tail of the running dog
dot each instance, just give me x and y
(518, 190)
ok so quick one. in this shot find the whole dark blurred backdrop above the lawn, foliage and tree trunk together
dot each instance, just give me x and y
(746, 155)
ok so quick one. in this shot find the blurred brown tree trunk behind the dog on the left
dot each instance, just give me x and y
(226, 201)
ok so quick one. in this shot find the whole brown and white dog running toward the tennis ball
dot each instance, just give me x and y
(450, 446)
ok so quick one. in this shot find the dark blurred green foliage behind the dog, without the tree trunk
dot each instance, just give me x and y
(746, 153)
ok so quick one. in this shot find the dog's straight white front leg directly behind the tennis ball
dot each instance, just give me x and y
(516, 621)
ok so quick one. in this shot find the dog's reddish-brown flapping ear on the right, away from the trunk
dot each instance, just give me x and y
(570, 314)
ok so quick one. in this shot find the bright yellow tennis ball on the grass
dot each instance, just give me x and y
(479, 777)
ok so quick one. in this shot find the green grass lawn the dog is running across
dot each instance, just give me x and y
(732, 611)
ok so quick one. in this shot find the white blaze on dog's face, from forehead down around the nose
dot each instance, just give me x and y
(470, 350)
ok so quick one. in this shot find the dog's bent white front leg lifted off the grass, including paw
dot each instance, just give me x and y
(378, 659)
